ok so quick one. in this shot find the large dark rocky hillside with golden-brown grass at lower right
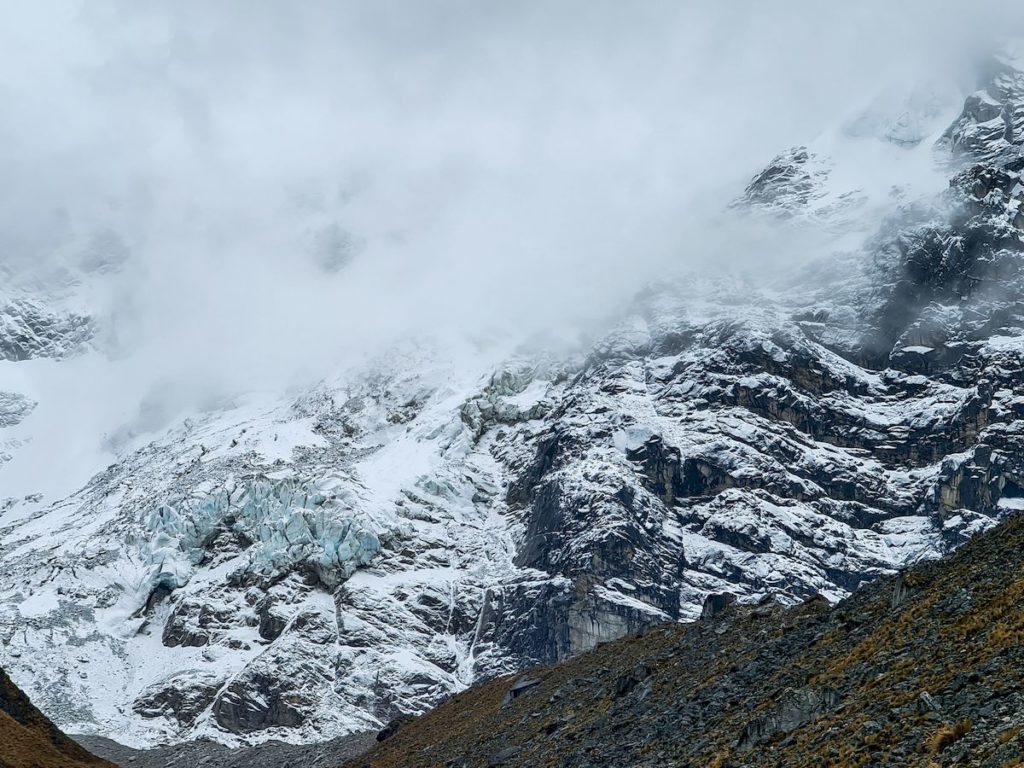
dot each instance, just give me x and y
(922, 669)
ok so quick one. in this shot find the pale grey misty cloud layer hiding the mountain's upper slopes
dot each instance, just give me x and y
(278, 189)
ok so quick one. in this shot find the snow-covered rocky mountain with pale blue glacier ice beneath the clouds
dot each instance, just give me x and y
(309, 565)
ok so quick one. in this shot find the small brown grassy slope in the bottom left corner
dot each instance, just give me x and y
(29, 740)
